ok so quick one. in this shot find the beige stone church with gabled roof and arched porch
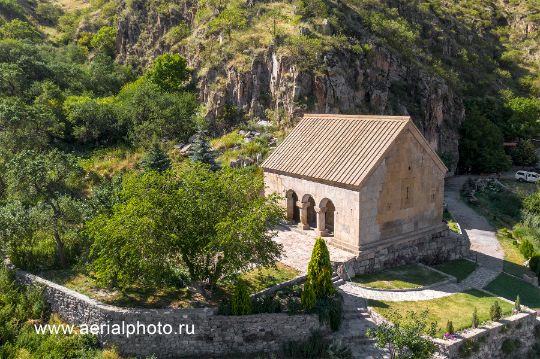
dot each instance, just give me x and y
(369, 183)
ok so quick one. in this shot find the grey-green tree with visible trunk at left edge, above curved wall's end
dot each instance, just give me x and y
(51, 184)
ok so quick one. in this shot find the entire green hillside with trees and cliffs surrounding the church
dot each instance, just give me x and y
(98, 96)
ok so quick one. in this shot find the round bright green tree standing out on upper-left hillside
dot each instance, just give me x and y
(169, 72)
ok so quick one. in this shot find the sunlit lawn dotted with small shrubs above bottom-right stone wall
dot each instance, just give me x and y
(457, 307)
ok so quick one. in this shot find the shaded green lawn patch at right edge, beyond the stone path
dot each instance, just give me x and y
(509, 287)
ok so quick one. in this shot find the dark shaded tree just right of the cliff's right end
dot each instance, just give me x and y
(481, 147)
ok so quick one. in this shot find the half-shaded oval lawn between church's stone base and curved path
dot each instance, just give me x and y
(402, 277)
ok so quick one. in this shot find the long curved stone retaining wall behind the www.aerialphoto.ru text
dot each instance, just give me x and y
(203, 332)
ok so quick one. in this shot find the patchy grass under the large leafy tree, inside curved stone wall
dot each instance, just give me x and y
(166, 296)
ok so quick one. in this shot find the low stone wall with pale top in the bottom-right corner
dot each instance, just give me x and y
(512, 337)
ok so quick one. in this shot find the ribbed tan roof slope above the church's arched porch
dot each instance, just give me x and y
(335, 148)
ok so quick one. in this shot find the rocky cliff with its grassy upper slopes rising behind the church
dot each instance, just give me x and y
(249, 73)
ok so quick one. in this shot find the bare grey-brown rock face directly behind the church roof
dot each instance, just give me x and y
(349, 84)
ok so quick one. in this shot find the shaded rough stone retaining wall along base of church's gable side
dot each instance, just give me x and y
(434, 247)
